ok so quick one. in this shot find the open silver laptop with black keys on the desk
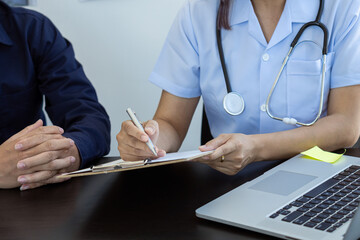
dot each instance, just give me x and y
(298, 199)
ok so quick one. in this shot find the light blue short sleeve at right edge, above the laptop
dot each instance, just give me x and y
(345, 69)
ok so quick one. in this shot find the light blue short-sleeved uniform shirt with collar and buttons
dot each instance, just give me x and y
(189, 63)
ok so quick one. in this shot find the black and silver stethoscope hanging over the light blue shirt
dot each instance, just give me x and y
(233, 102)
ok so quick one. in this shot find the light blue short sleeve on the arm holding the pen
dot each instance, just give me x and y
(177, 70)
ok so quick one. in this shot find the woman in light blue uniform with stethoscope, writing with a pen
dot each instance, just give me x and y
(271, 96)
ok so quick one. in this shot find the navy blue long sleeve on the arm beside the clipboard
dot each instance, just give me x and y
(70, 99)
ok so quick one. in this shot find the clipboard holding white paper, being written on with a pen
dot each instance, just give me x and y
(121, 165)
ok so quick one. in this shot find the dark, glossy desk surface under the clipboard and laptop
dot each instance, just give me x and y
(155, 203)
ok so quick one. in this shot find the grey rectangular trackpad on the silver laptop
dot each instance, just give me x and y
(283, 182)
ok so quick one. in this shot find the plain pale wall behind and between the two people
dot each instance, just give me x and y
(118, 42)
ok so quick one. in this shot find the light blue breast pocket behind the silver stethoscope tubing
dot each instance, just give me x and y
(304, 87)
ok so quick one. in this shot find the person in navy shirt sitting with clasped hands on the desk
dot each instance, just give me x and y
(37, 64)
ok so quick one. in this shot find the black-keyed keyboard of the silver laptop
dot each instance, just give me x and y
(328, 206)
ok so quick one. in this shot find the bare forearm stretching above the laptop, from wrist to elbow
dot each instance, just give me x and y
(329, 133)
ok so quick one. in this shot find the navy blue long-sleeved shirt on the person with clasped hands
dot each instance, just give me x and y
(37, 64)
